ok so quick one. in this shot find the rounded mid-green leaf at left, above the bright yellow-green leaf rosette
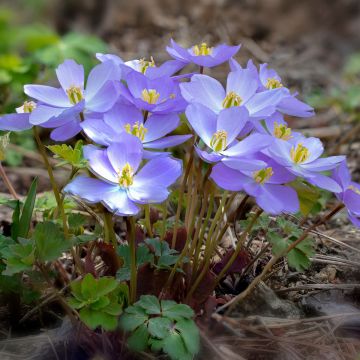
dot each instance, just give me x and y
(50, 242)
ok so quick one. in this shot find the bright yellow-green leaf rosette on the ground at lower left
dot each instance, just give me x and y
(99, 301)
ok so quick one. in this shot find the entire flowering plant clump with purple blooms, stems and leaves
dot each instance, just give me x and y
(167, 152)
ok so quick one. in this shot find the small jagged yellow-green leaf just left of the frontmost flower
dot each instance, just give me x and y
(69, 155)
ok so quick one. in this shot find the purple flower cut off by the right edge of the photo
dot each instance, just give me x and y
(350, 192)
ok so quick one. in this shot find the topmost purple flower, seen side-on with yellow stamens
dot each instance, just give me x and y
(201, 54)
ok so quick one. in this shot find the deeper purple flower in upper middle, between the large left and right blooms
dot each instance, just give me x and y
(160, 95)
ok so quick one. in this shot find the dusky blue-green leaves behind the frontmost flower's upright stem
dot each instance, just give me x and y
(155, 252)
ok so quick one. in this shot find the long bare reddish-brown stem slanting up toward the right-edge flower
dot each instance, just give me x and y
(275, 258)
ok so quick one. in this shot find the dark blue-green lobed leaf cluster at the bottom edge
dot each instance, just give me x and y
(161, 326)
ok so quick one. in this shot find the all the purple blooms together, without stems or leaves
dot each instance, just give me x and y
(129, 110)
